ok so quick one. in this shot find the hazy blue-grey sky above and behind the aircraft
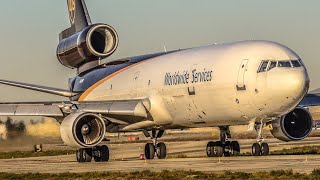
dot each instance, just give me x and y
(29, 32)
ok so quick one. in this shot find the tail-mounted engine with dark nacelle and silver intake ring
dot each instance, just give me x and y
(93, 43)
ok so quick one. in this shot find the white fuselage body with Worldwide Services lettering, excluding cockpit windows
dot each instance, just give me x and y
(210, 86)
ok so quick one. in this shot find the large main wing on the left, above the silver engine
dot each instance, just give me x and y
(119, 111)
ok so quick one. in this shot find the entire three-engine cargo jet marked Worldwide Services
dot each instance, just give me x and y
(255, 83)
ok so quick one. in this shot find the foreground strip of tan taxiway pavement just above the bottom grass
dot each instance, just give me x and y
(59, 164)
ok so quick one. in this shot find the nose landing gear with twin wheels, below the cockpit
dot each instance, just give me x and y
(260, 148)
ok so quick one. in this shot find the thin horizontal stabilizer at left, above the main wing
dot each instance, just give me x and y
(49, 90)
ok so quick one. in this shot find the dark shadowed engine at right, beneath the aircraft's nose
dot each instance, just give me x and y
(294, 126)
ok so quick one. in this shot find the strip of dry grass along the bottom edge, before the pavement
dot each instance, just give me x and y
(176, 174)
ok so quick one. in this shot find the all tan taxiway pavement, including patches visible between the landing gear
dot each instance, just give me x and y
(124, 157)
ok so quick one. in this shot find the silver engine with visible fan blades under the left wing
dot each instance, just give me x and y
(83, 130)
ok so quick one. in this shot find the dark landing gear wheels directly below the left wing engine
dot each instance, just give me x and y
(98, 153)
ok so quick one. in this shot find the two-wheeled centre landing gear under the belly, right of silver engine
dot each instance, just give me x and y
(155, 149)
